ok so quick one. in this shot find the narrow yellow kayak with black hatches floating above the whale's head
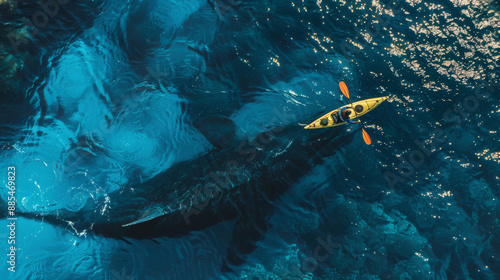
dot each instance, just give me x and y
(362, 107)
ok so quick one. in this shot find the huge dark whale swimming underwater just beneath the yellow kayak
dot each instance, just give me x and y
(242, 182)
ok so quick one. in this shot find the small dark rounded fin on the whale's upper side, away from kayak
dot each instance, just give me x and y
(218, 130)
